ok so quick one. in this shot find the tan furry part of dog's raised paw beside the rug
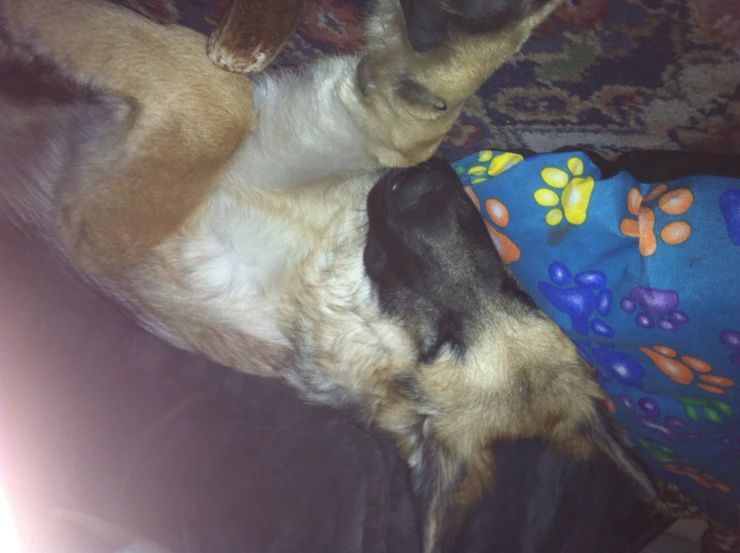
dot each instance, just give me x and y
(412, 99)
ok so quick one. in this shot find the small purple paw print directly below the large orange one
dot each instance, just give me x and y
(657, 307)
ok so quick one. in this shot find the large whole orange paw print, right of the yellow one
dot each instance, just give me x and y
(675, 202)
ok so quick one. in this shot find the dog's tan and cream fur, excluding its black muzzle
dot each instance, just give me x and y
(235, 227)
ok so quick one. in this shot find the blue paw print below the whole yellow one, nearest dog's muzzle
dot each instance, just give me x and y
(587, 295)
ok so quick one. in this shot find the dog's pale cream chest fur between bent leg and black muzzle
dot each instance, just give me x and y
(265, 266)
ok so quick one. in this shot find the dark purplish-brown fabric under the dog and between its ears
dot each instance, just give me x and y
(100, 417)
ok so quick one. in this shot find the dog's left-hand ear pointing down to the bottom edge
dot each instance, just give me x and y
(446, 484)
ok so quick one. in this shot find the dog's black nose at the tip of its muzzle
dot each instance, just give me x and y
(410, 188)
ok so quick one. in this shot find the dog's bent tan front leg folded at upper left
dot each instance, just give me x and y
(168, 162)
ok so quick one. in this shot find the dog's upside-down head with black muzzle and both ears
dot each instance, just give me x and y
(489, 365)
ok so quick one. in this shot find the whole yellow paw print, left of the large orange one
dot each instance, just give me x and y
(575, 196)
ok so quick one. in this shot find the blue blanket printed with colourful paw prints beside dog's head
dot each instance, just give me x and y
(644, 277)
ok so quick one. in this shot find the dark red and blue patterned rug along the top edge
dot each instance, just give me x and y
(604, 75)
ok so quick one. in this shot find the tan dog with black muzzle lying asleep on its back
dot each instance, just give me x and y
(297, 227)
